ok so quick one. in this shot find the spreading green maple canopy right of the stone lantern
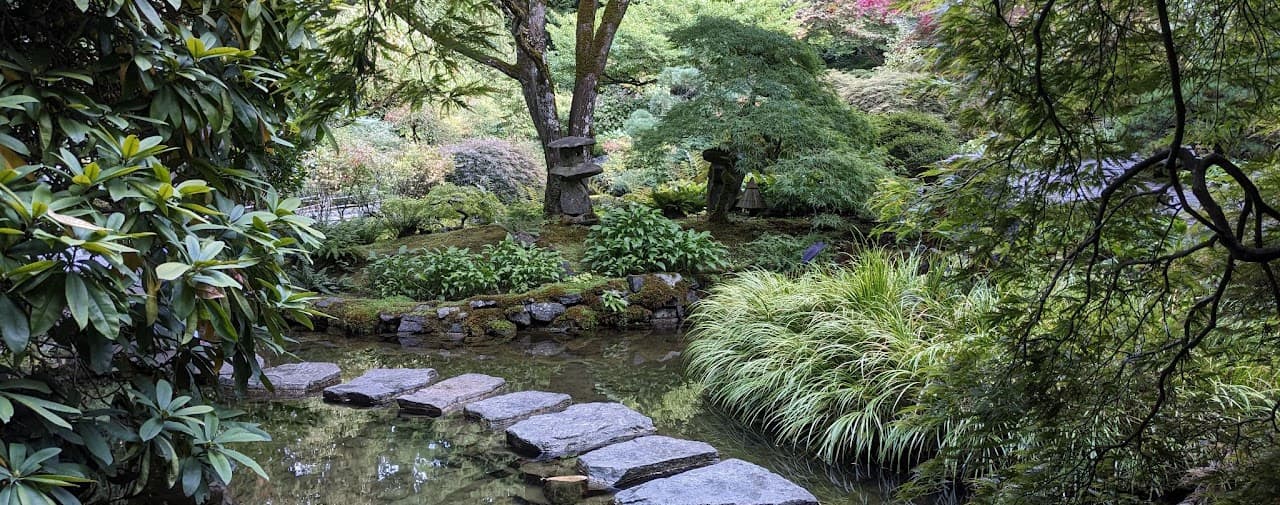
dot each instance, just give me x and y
(764, 103)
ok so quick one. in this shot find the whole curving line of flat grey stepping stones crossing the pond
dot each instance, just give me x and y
(621, 448)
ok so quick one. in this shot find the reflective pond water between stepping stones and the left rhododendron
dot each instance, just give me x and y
(351, 457)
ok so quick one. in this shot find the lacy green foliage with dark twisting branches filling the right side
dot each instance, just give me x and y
(1126, 204)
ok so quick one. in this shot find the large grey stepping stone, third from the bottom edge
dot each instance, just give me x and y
(578, 429)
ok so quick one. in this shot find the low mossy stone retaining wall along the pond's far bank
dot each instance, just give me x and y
(653, 301)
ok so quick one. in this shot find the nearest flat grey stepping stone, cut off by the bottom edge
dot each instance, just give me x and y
(730, 483)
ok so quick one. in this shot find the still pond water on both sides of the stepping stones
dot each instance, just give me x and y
(326, 454)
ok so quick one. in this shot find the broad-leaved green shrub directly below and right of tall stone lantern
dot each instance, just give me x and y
(637, 240)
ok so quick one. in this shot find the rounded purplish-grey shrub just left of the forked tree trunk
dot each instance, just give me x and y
(500, 167)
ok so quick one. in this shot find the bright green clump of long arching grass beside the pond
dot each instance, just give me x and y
(836, 360)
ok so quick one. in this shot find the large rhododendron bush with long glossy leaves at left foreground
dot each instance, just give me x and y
(141, 244)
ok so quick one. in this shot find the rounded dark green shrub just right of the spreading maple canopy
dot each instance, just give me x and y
(916, 140)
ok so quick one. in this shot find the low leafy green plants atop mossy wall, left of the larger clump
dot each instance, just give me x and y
(437, 274)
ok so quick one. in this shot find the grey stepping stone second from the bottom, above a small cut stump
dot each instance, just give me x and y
(644, 460)
